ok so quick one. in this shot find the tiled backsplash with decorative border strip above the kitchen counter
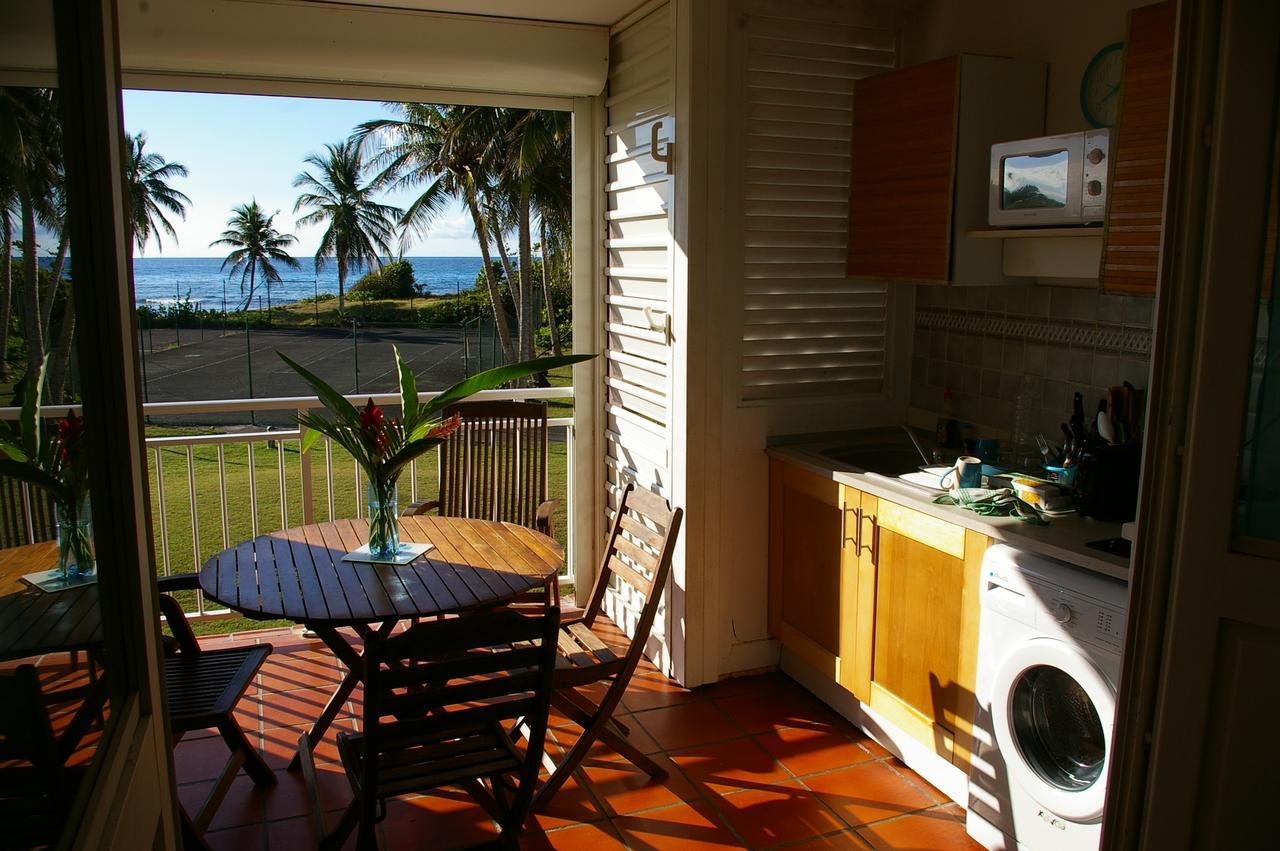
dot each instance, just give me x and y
(989, 344)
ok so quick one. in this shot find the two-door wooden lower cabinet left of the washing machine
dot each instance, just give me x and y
(881, 598)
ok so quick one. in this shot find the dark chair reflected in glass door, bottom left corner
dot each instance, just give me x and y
(36, 786)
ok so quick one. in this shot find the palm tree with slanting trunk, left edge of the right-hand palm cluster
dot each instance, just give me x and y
(444, 150)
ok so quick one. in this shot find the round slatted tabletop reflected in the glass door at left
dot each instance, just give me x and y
(35, 623)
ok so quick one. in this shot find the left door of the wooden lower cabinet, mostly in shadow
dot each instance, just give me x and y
(821, 575)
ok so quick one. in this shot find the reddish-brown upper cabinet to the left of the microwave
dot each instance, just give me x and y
(920, 171)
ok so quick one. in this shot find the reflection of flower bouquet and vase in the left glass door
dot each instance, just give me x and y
(56, 460)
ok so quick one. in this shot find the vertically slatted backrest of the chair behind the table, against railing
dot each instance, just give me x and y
(495, 466)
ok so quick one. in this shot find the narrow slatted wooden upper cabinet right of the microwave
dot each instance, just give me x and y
(1140, 144)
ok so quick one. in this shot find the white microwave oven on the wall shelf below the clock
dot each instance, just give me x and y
(1049, 181)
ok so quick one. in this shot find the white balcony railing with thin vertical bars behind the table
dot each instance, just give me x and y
(223, 493)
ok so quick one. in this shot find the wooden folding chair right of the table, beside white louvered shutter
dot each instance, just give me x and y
(639, 555)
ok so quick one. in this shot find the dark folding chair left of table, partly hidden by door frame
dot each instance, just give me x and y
(203, 689)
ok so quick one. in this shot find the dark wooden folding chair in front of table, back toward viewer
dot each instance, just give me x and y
(437, 702)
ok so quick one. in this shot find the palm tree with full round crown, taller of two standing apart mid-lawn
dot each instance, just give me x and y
(360, 230)
